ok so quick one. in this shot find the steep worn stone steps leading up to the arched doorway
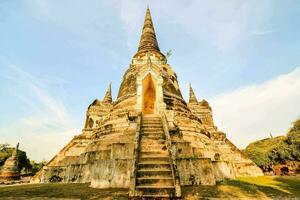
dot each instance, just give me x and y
(155, 179)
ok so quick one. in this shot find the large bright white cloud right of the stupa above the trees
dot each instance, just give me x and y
(253, 112)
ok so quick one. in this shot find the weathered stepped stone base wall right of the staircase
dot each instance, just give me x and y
(205, 156)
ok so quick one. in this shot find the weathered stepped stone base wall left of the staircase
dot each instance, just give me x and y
(104, 158)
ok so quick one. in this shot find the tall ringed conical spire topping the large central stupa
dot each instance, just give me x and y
(148, 42)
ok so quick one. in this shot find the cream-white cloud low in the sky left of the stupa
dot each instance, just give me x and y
(38, 135)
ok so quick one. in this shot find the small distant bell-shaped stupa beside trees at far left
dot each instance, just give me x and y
(10, 169)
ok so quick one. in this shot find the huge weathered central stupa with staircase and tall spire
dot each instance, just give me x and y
(149, 139)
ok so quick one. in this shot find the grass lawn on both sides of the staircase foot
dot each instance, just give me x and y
(265, 187)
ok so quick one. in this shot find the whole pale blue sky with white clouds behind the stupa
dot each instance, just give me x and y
(57, 56)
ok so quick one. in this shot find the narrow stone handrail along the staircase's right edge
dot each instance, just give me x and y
(172, 152)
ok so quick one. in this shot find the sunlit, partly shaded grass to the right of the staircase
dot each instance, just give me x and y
(247, 188)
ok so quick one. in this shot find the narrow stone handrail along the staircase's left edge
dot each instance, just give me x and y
(136, 157)
